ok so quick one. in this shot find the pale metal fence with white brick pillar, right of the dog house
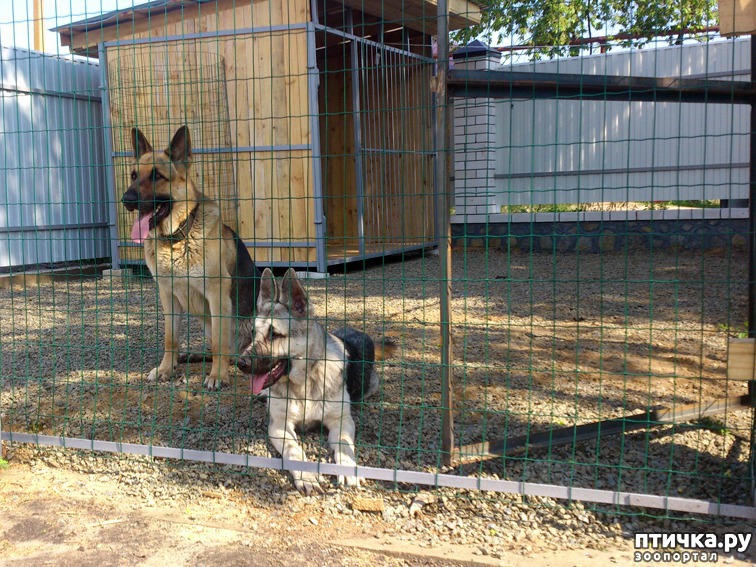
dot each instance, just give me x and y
(526, 152)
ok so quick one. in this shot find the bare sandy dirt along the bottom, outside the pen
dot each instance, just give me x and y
(67, 518)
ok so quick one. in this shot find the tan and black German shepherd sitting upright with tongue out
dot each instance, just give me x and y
(201, 266)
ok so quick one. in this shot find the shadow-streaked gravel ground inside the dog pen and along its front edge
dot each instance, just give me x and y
(539, 342)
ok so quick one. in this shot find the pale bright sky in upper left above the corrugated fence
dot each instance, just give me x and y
(16, 27)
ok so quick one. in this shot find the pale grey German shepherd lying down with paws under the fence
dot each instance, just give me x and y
(311, 376)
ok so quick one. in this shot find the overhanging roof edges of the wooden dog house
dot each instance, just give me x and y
(83, 36)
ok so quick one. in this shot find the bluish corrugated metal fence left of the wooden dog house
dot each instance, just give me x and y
(52, 179)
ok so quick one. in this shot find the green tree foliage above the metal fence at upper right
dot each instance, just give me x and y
(550, 26)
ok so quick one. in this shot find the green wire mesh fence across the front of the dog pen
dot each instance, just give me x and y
(598, 275)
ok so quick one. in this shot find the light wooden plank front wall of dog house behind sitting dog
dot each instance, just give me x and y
(266, 194)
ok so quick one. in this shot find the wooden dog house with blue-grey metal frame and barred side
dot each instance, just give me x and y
(311, 122)
